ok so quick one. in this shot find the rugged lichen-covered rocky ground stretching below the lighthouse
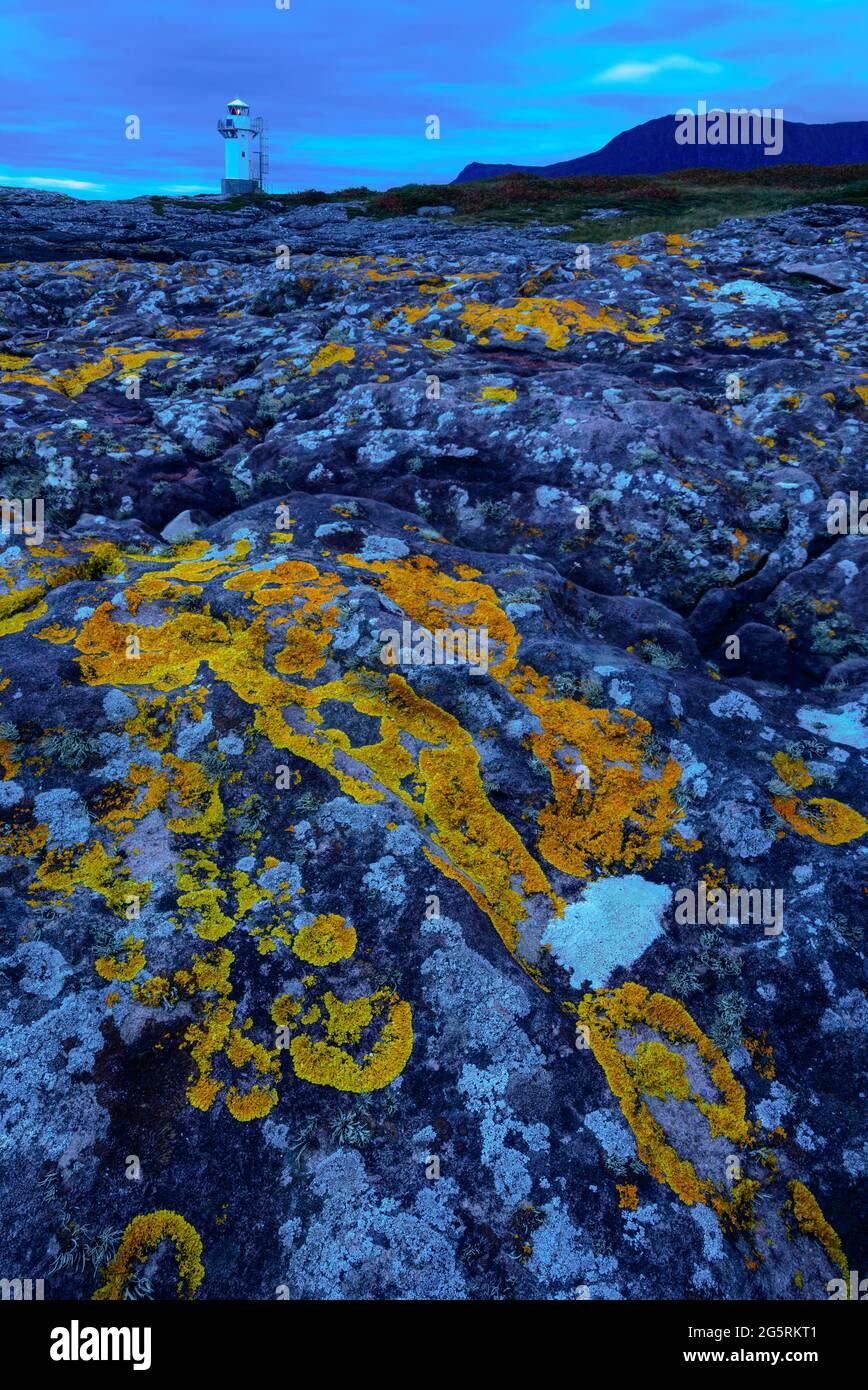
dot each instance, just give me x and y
(330, 974)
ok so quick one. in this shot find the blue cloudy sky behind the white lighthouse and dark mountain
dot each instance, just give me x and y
(346, 85)
